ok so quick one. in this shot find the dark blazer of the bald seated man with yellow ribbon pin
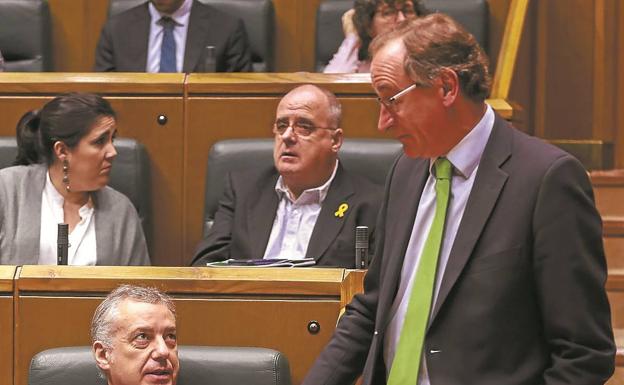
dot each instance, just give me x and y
(246, 212)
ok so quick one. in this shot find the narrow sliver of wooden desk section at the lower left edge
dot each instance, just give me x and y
(6, 323)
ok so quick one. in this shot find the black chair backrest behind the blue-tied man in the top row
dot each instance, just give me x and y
(257, 15)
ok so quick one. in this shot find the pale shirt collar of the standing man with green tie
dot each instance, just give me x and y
(466, 154)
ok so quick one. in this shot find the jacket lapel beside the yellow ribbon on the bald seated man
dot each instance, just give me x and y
(328, 225)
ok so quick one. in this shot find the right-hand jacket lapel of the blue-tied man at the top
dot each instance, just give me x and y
(199, 23)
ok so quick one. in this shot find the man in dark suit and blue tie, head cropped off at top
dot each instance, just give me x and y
(172, 36)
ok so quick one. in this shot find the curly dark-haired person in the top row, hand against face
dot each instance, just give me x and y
(367, 19)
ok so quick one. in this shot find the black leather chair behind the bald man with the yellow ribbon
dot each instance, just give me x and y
(371, 158)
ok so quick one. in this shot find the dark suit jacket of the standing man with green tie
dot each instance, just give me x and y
(522, 300)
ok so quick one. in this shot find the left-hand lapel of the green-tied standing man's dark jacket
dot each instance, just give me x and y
(399, 222)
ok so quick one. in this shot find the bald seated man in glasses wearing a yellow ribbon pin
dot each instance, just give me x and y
(305, 206)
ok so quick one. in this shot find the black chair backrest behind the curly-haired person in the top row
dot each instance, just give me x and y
(472, 14)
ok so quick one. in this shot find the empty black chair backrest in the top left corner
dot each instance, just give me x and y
(25, 35)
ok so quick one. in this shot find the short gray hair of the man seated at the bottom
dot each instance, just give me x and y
(106, 312)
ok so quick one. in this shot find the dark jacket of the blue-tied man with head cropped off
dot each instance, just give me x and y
(123, 43)
